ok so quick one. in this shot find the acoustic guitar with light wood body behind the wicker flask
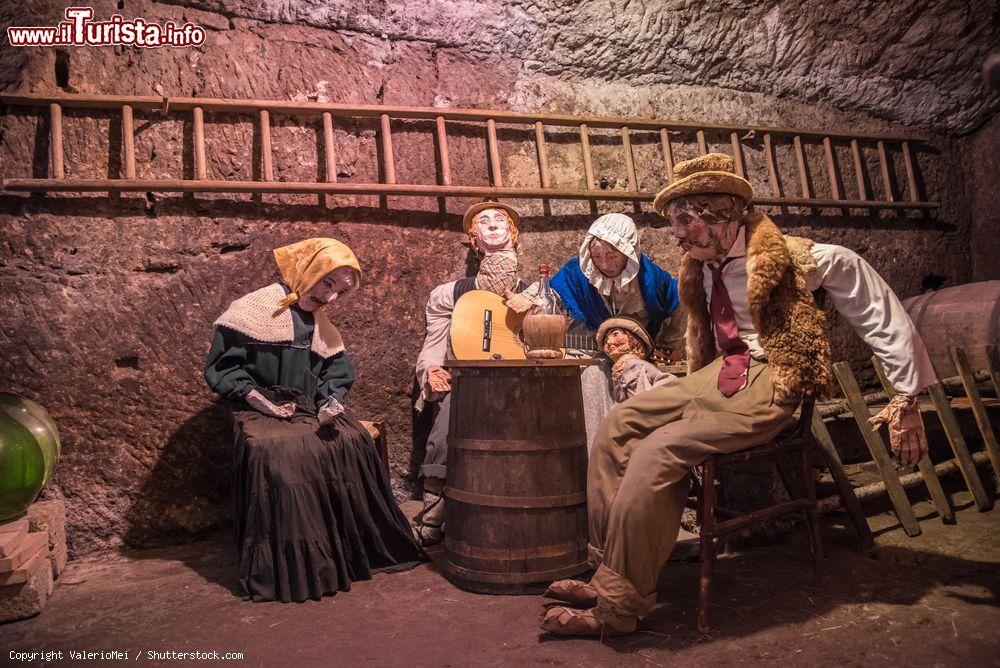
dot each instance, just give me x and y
(484, 328)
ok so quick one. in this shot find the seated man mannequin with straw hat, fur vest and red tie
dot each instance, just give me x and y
(756, 346)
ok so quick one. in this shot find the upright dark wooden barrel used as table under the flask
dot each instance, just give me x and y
(516, 510)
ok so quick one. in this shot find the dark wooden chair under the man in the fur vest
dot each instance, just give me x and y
(796, 442)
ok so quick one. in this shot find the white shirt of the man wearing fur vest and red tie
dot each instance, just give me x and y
(859, 294)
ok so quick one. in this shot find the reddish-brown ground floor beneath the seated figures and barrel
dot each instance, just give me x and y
(925, 601)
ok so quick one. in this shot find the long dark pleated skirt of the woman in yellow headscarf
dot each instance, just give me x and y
(314, 511)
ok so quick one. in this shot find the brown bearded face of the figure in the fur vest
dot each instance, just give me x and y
(706, 226)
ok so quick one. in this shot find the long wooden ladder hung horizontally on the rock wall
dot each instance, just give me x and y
(734, 137)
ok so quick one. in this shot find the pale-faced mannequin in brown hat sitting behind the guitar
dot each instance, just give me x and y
(492, 230)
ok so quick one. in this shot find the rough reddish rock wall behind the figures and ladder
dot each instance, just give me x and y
(107, 301)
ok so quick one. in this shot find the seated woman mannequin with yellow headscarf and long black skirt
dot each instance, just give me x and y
(314, 510)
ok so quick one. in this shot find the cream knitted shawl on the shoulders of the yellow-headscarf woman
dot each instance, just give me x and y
(258, 316)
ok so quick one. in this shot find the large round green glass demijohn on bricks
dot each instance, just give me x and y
(29, 451)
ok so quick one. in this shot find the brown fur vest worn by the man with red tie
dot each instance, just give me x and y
(791, 326)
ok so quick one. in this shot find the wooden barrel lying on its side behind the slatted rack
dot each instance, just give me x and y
(965, 316)
